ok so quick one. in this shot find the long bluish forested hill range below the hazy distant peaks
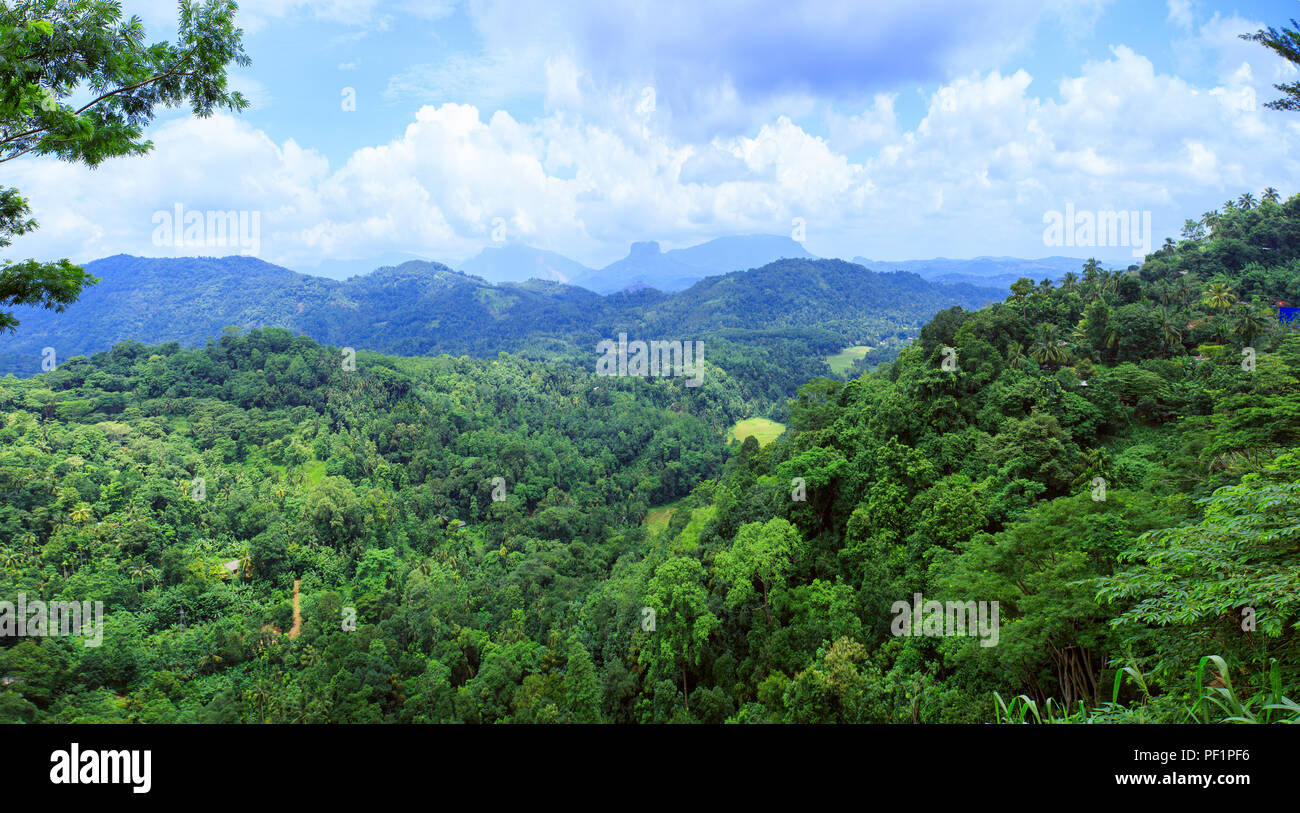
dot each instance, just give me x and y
(426, 309)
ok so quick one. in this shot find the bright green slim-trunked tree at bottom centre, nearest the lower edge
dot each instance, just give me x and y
(683, 620)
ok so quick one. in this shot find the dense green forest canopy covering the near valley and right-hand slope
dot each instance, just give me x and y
(281, 537)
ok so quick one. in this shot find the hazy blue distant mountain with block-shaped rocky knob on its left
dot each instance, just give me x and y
(647, 266)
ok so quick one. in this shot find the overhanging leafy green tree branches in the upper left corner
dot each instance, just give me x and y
(54, 49)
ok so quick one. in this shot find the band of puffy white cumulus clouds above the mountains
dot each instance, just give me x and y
(605, 166)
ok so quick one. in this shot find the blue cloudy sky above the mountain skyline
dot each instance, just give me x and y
(889, 131)
